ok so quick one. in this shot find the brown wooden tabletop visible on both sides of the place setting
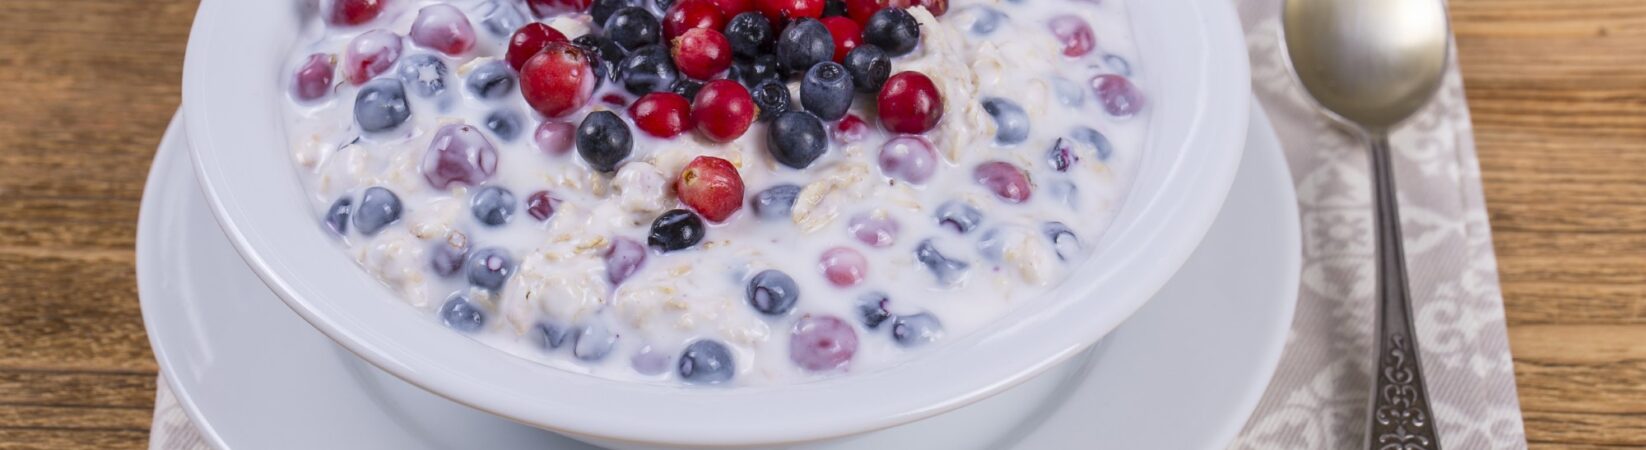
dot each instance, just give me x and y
(1558, 90)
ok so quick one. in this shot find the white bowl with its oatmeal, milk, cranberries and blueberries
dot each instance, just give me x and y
(715, 223)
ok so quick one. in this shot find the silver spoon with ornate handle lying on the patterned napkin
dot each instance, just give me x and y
(1372, 65)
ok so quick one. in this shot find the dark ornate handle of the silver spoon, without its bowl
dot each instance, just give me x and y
(1400, 403)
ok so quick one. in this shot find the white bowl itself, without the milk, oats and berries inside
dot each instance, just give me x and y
(1194, 65)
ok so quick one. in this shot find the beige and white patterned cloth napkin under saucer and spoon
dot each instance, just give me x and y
(1319, 395)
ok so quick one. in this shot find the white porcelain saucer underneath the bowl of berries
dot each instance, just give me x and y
(1183, 373)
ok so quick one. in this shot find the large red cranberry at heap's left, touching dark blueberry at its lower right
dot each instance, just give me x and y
(557, 82)
